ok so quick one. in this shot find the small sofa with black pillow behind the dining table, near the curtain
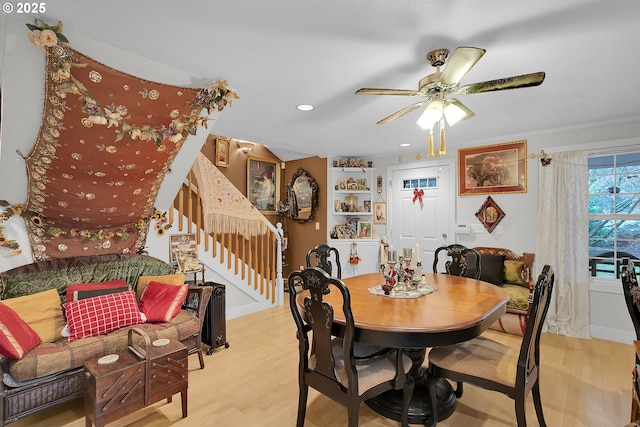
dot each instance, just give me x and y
(513, 272)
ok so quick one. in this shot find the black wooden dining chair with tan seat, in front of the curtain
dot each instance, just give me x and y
(491, 365)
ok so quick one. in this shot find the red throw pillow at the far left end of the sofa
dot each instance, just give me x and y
(16, 337)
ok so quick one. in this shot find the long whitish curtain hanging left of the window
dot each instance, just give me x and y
(562, 240)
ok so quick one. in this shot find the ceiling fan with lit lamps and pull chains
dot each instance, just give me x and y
(437, 86)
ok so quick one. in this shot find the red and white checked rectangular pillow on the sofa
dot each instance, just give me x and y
(101, 315)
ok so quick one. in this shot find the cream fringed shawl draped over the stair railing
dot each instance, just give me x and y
(226, 209)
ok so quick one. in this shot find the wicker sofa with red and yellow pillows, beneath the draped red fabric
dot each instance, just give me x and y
(49, 322)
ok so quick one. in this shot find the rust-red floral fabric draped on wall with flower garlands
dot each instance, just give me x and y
(106, 141)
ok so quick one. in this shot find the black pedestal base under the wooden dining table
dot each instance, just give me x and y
(389, 404)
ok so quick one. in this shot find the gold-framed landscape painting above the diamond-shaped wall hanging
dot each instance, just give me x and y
(493, 169)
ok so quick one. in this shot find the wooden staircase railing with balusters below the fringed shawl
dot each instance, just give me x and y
(257, 260)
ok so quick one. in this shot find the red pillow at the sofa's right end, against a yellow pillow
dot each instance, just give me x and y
(161, 302)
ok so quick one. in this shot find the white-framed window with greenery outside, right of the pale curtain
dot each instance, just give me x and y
(614, 212)
